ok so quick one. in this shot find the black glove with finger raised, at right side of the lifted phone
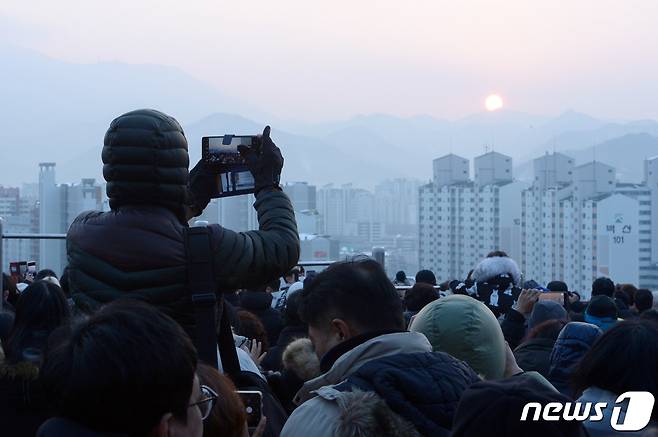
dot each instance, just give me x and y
(265, 164)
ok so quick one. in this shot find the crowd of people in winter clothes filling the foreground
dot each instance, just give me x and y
(115, 345)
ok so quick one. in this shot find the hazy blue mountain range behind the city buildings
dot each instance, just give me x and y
(59, 111)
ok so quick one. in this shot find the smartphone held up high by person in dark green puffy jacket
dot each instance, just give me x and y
(222, 155)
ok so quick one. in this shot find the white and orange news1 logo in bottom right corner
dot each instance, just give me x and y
(638, 411)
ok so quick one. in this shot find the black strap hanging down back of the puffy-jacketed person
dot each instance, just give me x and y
(202, 288)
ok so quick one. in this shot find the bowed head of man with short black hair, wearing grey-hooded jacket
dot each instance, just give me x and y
(348, 299)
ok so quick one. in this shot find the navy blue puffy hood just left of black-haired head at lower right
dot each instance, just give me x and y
(574, 341)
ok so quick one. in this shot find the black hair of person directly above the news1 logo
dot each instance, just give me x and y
(607, 365)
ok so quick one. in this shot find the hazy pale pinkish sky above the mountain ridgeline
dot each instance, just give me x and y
(315, 60)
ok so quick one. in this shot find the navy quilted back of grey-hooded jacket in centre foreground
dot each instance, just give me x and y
(422, 388)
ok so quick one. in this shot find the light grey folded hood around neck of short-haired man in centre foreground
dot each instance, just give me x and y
(378, 347)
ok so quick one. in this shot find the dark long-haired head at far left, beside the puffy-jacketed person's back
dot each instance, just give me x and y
(40, 309)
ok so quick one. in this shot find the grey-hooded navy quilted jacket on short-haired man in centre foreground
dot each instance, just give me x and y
(394, 366)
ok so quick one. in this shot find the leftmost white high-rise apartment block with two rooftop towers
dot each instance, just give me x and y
(460, 219)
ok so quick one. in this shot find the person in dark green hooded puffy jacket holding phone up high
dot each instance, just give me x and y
(137, 250)
